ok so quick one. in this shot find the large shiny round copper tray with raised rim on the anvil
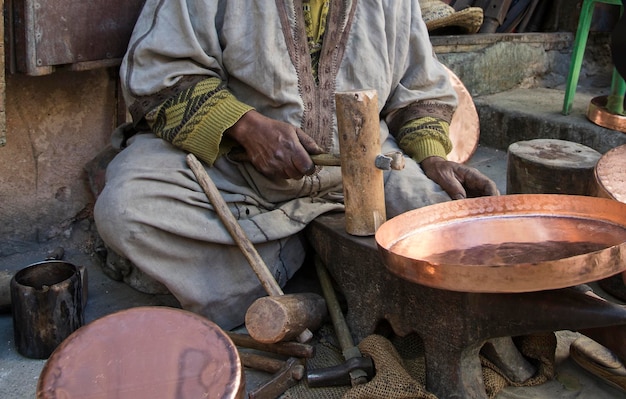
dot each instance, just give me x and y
(508, 243)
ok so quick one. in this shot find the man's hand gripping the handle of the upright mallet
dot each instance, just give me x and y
(276, 149)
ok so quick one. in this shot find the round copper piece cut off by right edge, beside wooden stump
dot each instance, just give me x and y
(610, 174)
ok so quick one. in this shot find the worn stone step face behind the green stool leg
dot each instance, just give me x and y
(494, 63)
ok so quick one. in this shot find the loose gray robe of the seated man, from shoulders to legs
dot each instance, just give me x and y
(153, 212)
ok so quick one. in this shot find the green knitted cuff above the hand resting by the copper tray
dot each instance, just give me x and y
(425, 137)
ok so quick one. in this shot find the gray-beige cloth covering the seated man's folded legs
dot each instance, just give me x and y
(153, 212)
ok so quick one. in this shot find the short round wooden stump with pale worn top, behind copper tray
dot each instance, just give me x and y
(549, 166)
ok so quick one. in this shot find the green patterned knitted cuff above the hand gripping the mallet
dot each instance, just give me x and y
(196, 119)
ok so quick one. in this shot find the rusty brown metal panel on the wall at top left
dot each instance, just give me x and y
(80, 33)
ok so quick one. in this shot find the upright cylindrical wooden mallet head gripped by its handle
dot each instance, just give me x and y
(359, 143)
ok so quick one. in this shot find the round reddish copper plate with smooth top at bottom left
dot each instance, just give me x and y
(145, 352)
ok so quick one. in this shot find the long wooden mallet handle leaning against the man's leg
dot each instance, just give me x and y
(239, 236)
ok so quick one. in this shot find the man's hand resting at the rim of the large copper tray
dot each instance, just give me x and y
(458, 180)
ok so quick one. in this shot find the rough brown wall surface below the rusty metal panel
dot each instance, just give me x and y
(55, 124)
